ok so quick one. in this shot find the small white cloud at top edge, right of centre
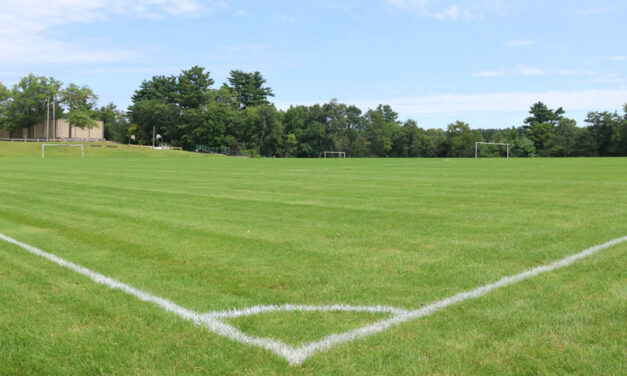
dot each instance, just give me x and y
(469, 10)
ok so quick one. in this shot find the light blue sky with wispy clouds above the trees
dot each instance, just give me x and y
(436, 61)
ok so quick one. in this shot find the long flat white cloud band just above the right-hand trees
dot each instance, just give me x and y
(453, 104)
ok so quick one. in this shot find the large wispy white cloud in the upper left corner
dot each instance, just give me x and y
(24, 27)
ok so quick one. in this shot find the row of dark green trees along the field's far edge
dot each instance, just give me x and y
(186, 110)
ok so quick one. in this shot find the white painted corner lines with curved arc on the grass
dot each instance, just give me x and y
(297, 355)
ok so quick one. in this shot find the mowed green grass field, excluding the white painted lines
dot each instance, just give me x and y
(212, 233)
